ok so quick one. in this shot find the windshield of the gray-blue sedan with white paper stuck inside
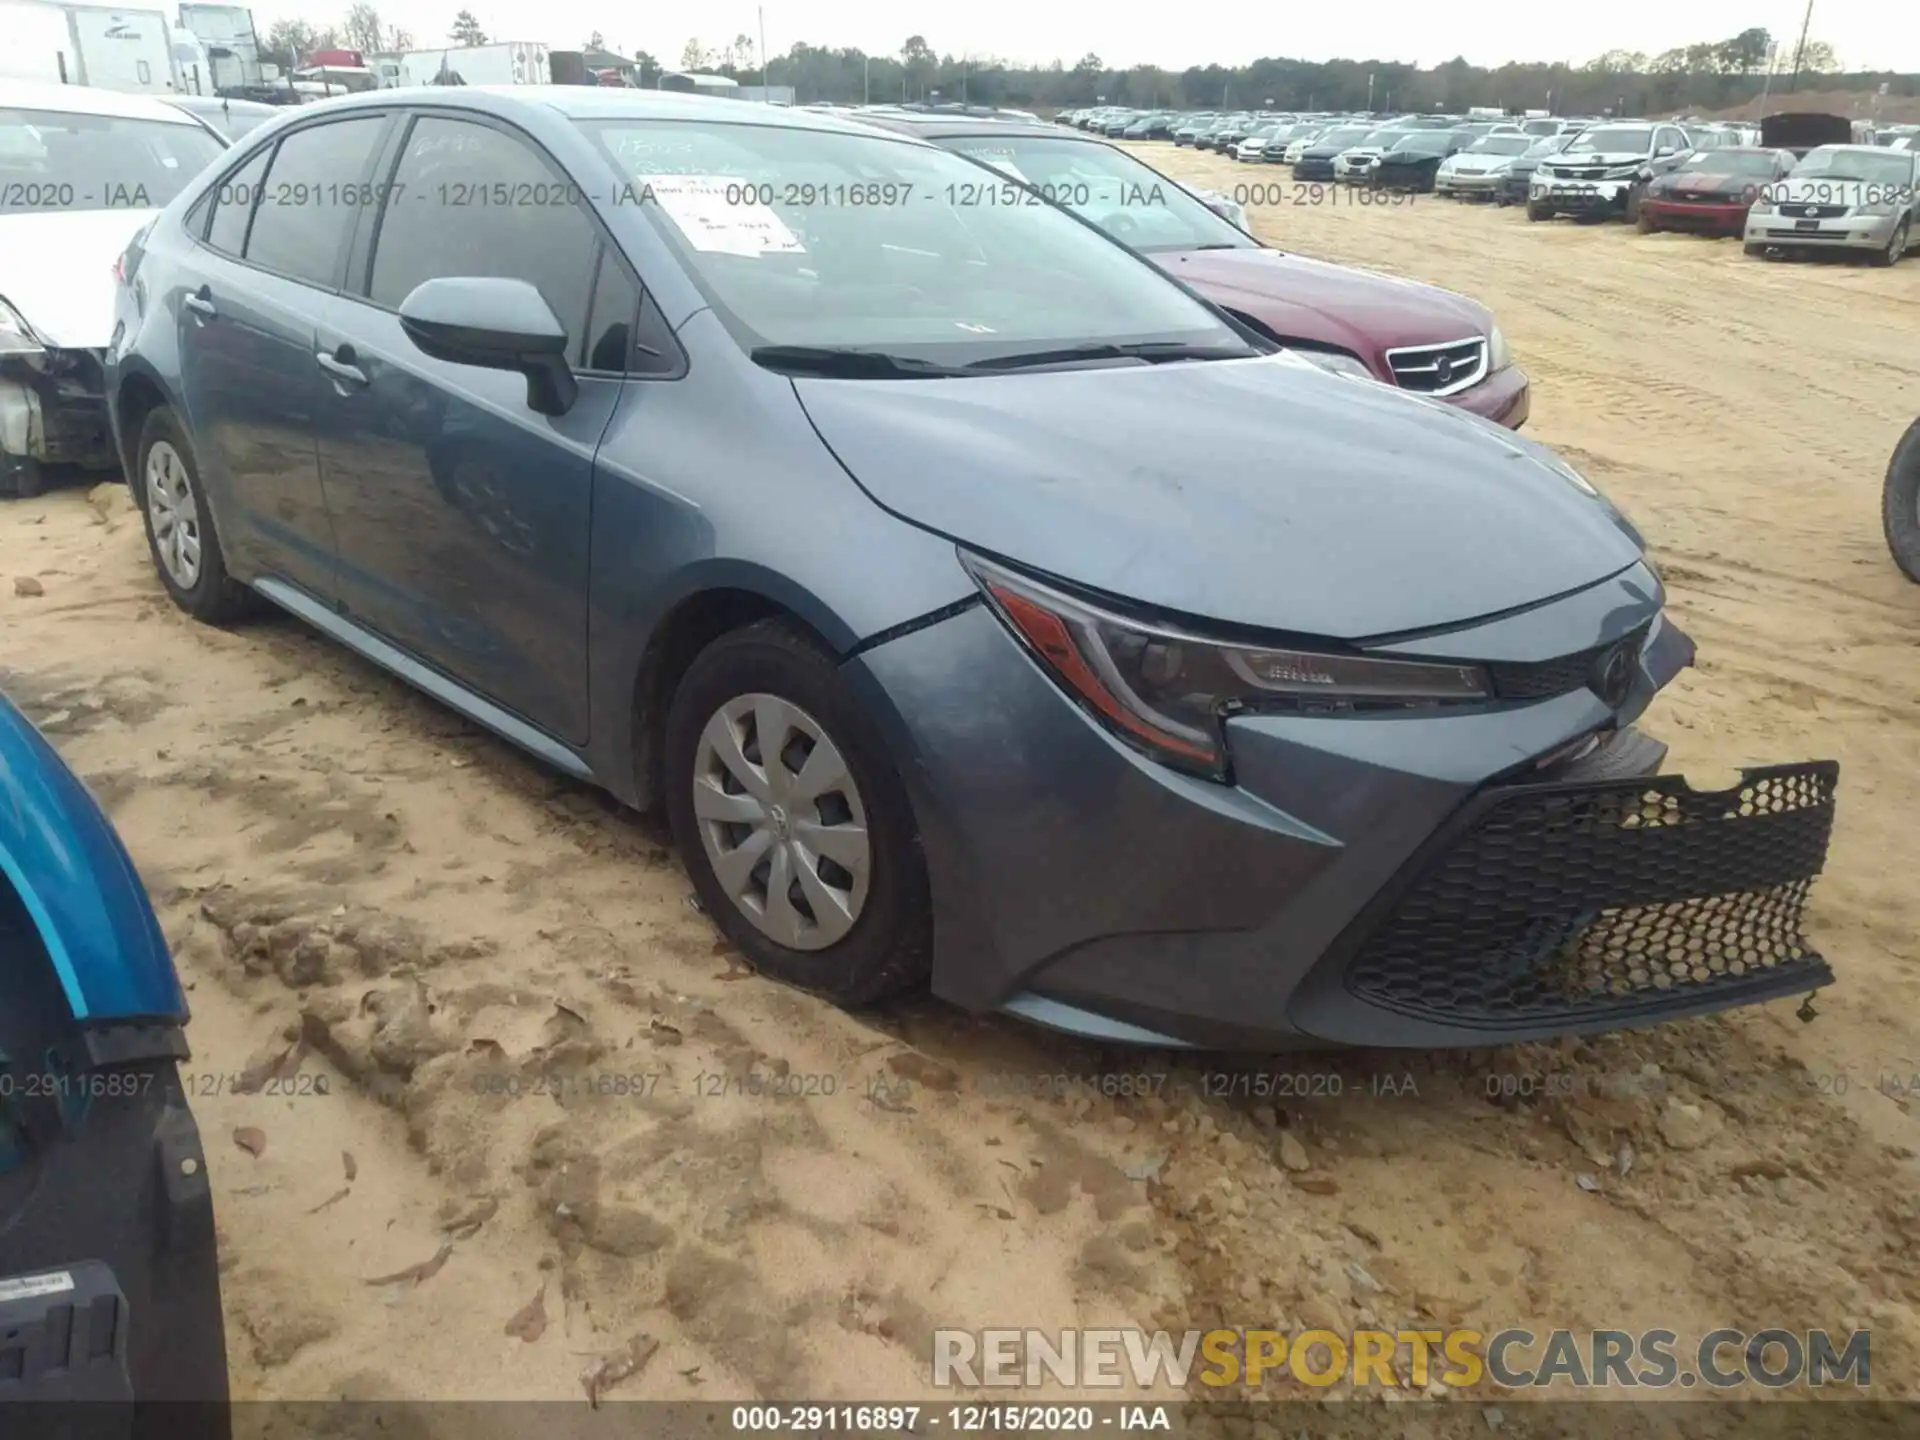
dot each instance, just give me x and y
(848, 241)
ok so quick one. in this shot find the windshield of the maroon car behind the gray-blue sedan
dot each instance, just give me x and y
(1124, 197)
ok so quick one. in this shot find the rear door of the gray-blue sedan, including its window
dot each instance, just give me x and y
(274, 251)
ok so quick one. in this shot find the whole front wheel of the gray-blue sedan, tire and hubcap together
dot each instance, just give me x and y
(792, 819)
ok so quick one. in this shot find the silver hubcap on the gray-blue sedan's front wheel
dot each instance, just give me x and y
(782, 821)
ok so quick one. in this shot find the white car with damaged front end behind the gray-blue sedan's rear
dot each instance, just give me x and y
(82, 172)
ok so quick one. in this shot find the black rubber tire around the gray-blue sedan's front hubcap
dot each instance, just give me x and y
(890, 948)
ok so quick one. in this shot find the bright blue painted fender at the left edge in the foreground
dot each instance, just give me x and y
(80, 886)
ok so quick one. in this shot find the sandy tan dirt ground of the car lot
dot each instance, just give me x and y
(516, 1103)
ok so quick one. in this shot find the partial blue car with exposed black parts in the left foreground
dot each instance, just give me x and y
(108, 1274)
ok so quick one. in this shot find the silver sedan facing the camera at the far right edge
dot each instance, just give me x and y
(1842, 199)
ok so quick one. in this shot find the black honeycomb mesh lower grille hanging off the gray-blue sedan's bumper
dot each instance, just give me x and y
(1608, 900)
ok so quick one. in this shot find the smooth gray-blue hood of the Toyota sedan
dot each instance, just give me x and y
(1260, 492)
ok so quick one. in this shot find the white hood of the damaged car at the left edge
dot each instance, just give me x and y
(57, 270)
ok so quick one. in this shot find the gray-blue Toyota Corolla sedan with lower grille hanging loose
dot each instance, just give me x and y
(982, 606)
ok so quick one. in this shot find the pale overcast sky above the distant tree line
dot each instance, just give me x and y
(1879, 34)
